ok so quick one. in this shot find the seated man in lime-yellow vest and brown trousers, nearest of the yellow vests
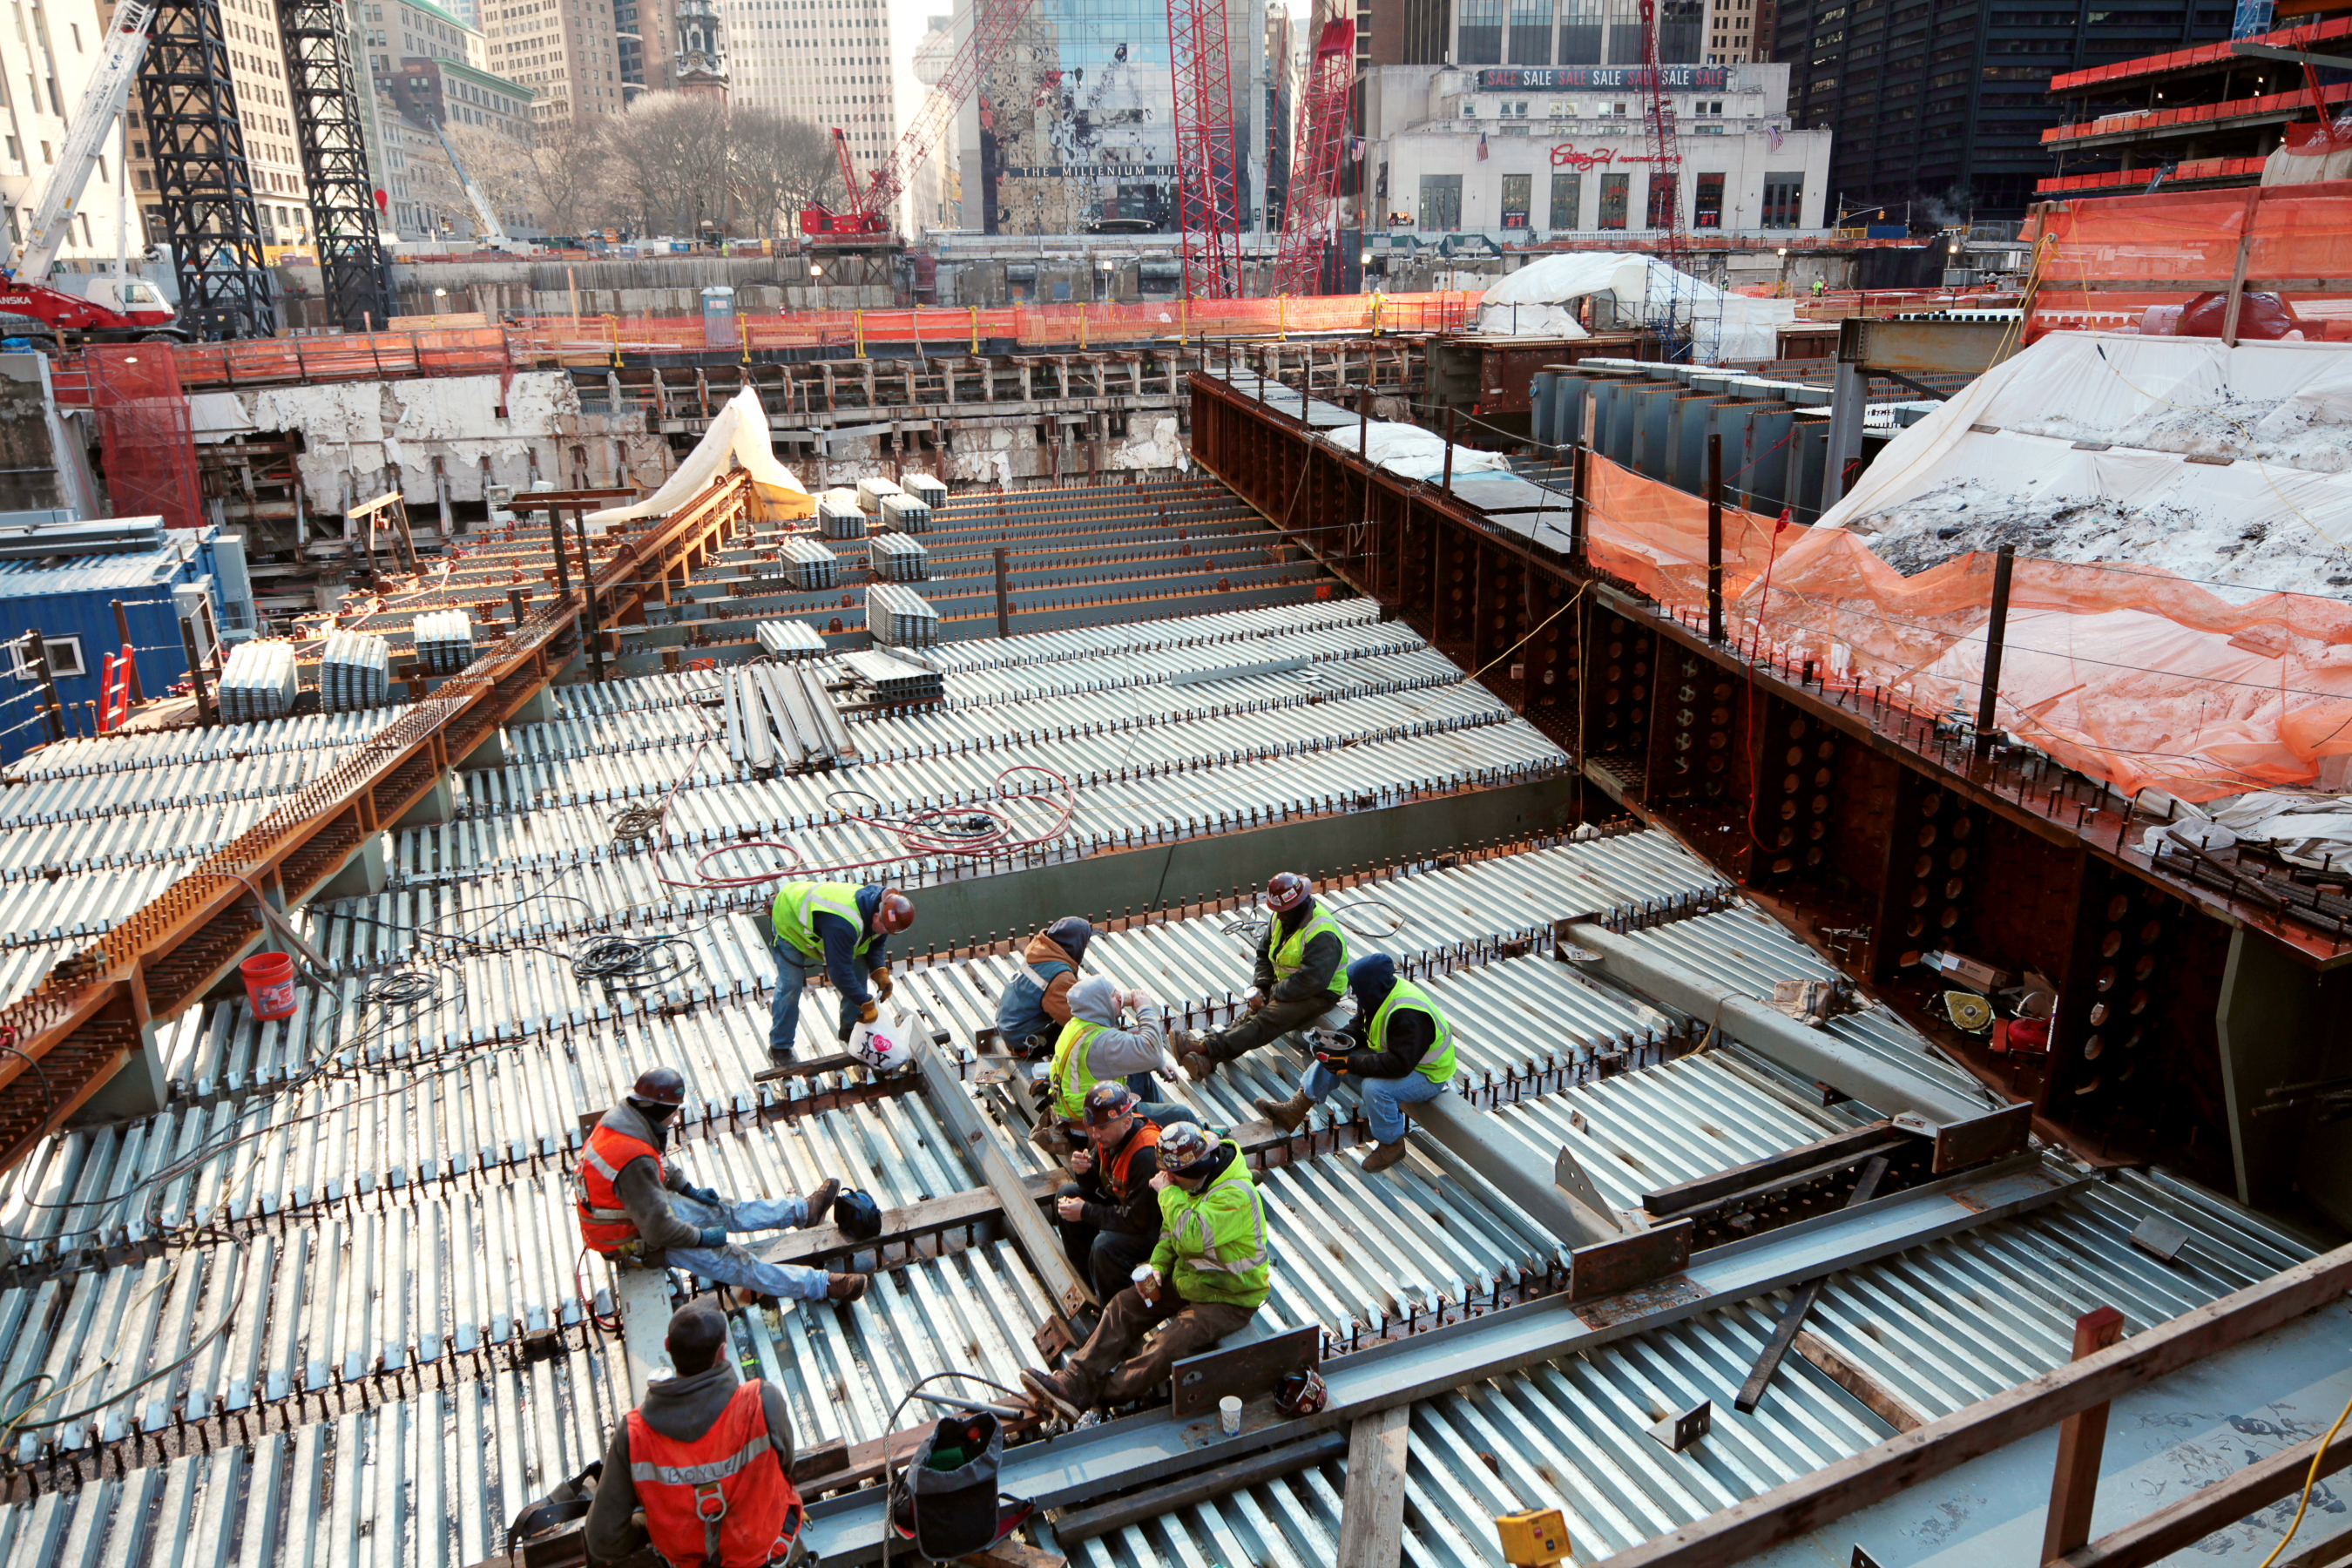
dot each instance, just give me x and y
(1210, 1273)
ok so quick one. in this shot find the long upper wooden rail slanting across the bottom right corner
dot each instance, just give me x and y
(2043, 1402)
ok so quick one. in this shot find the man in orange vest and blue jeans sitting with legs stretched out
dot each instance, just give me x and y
(641, 1212)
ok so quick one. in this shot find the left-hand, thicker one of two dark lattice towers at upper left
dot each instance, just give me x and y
(201, 175)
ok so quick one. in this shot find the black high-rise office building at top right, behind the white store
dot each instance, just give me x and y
(1939, 109)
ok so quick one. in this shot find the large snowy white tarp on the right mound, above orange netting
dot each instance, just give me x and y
(2080, 448)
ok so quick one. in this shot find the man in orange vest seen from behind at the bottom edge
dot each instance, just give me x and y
(704, 1468)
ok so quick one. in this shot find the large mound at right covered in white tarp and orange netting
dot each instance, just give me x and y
(2116, 664)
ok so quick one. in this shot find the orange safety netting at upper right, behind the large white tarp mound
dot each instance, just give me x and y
(2184, 243)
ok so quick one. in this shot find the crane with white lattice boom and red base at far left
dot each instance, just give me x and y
(112, 307)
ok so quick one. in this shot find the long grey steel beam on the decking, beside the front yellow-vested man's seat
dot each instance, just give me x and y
(1114, 1456)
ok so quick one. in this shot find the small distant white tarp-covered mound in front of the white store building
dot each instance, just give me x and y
(1539, 302)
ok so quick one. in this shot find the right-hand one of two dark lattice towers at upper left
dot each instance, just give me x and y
(333, 135)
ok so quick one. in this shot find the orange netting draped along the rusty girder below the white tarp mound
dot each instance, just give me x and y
(2125, 674)
